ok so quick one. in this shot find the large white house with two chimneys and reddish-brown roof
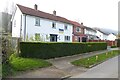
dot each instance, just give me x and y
(33, 24)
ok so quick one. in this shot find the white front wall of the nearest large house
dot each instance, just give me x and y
(45, 28)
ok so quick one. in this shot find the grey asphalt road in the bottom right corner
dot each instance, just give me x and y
(108, 69)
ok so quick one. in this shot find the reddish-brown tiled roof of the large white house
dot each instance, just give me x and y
(33, 12)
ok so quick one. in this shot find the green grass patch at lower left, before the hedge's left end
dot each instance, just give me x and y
(17, 64)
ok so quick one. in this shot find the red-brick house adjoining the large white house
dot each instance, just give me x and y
(78, 32)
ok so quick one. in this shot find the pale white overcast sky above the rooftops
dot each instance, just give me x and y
(93, 13)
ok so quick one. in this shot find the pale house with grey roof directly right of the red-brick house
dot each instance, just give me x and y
(90, 33)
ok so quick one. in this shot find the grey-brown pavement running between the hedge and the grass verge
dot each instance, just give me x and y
(61, 68)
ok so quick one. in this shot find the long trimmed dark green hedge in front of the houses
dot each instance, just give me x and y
(52, 50)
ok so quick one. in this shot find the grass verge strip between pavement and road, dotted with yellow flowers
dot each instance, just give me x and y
(94, 60)
